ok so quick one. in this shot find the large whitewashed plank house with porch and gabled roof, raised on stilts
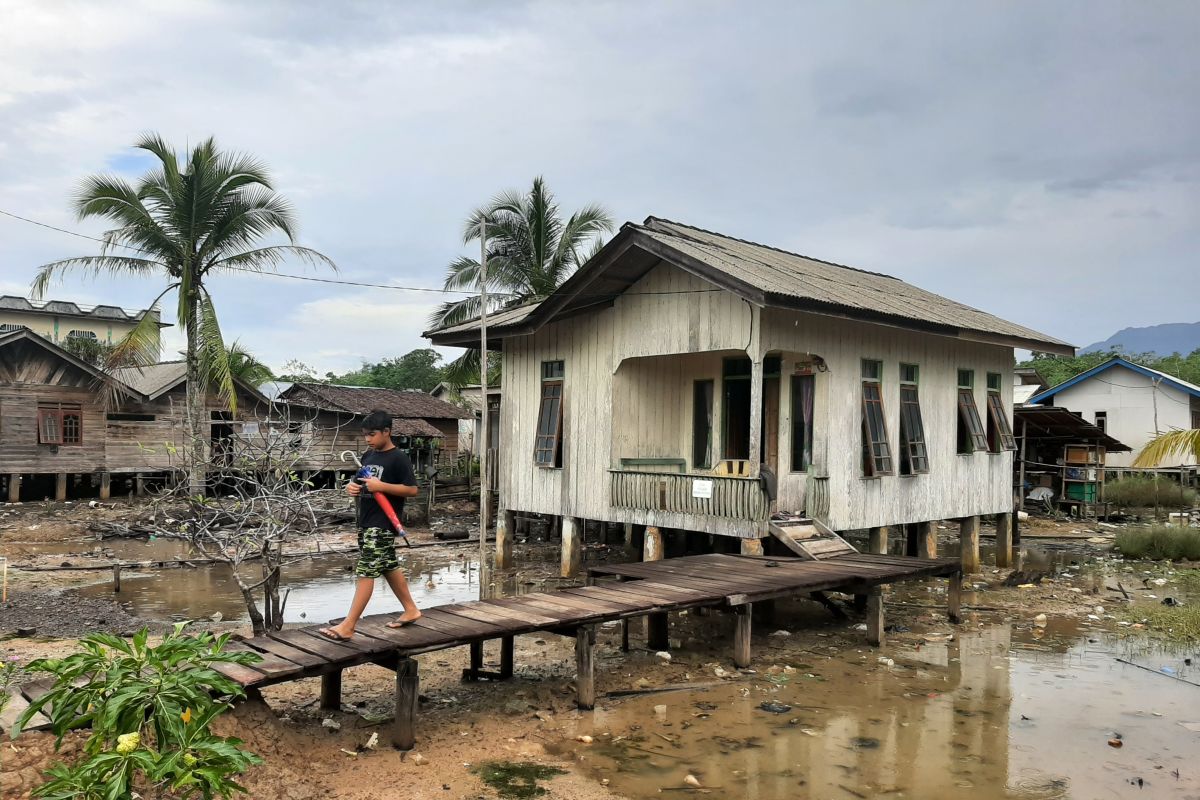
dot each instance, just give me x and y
(656, 382)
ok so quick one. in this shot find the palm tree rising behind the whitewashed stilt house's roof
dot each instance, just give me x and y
(531, 251)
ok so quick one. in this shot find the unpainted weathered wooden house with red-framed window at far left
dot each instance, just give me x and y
(59, 437)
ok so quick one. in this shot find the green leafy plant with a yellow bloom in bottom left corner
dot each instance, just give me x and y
(151, 711)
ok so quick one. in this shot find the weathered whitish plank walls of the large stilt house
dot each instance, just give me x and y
(616, 407)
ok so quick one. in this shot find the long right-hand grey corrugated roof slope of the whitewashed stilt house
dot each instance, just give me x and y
(790, 275)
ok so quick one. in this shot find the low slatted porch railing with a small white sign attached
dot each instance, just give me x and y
(701, 495)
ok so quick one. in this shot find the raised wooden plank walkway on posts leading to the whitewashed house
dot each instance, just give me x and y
(621, 592)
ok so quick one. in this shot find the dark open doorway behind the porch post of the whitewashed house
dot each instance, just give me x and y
(736, 411)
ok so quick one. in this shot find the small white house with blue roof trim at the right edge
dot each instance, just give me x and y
(1131, 402)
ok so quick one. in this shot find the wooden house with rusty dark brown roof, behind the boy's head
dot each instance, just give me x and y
(424, 426)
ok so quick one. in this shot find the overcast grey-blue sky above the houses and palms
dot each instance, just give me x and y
(1037, 160)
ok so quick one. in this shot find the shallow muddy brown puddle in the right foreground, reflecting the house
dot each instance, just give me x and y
(997, 714)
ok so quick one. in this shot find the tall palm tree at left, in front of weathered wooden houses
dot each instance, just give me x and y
(187, 220)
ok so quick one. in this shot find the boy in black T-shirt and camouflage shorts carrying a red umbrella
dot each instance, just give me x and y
(392, 474)
